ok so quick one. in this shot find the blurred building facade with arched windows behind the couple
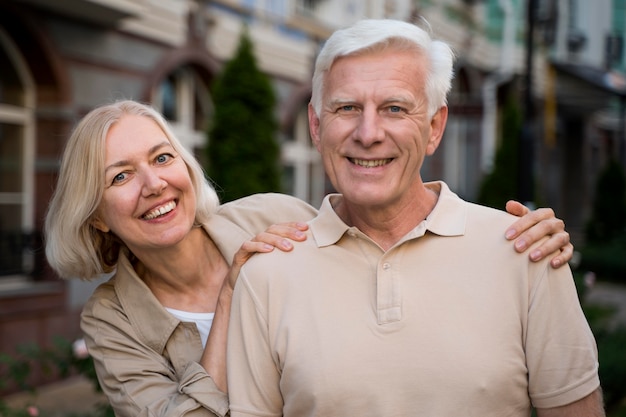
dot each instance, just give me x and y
(61, 58)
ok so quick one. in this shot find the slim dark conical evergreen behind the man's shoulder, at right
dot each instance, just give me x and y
(501, 184)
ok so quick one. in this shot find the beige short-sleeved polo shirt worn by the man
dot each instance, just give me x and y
(451, 321)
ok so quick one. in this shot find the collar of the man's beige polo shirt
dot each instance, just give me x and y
(448, 218)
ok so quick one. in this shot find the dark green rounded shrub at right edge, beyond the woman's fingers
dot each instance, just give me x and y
(608, 219)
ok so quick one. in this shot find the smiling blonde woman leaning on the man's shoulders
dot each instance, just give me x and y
(131, 200)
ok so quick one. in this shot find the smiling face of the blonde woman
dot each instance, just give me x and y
(149, 200)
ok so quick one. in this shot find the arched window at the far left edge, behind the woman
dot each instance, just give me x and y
(17, 100)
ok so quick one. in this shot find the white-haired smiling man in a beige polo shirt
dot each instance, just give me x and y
(405, 300)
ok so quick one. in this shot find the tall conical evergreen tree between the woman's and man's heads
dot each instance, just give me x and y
(243, 153)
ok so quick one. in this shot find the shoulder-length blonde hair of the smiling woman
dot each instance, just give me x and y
(74, 247)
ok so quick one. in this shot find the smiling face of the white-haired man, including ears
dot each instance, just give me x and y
(373, 131)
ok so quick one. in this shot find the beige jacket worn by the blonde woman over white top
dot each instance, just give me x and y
(146, 359)
